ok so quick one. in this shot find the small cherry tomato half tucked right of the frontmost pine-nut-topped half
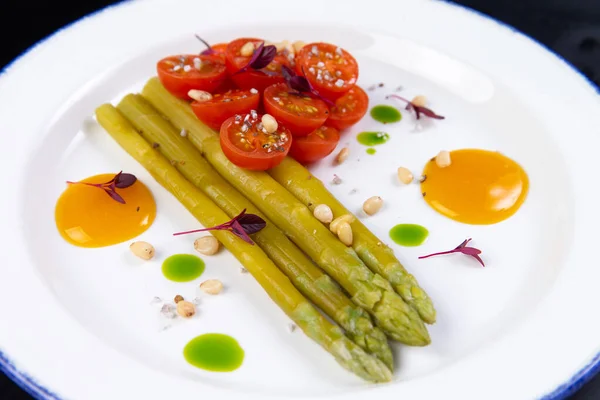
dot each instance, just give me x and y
(318, 144)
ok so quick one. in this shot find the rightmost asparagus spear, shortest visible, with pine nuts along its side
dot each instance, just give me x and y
(378, 257)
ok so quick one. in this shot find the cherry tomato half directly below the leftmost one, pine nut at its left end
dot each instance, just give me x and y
(224, 105)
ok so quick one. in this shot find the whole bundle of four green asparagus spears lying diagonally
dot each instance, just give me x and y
(196, 171)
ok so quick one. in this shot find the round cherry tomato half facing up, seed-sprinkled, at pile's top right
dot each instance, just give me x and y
(329, 69)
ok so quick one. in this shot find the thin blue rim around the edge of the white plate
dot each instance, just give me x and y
(38, 391)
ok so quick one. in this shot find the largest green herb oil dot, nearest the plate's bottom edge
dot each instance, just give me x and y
(214, 352)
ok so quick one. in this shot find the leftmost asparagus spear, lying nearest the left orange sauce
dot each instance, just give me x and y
(277, 286)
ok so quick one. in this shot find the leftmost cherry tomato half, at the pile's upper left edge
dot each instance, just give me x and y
(179, 74)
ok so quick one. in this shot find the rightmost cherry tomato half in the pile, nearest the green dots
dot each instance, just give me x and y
(348, 109)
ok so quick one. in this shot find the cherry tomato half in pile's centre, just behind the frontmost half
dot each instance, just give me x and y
(299, 113)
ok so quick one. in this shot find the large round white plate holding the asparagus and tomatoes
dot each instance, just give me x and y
(78, 322)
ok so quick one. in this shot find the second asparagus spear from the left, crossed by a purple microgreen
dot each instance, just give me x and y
(309, 279)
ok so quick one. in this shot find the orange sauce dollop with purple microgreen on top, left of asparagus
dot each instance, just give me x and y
(88, 217)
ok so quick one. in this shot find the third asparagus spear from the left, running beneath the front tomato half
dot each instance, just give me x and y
(370, 291)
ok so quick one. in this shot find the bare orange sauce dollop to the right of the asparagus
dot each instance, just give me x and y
(479, 187)
